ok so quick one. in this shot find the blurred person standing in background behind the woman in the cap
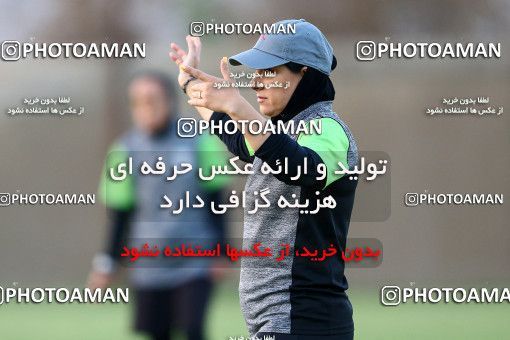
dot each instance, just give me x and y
(166, 297)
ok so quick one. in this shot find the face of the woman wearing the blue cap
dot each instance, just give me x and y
(272, 100)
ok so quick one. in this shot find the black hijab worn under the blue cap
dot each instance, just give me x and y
(314, 87)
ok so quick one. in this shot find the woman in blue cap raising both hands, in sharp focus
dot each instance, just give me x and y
(298, 298)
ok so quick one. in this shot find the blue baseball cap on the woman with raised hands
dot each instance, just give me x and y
(306, 46)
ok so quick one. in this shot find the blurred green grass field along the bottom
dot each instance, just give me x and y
(372, 320)
